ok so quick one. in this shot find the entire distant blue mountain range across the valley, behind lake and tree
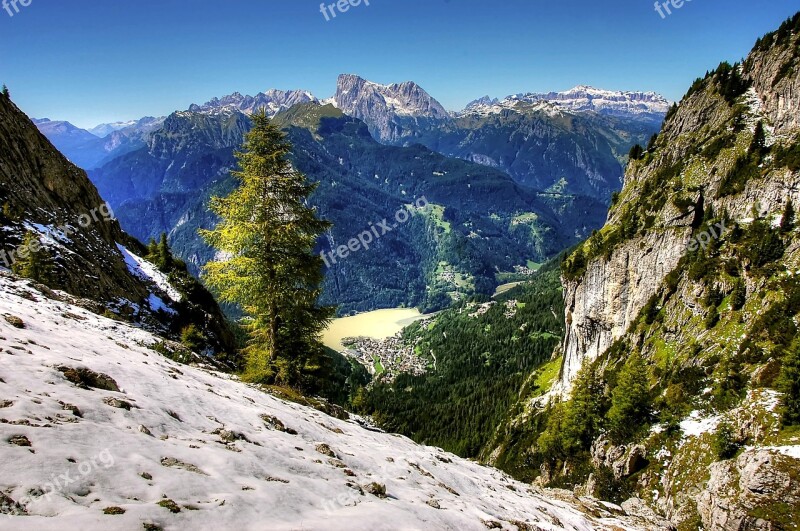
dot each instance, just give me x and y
(556, 168)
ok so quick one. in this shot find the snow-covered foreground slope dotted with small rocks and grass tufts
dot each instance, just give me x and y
(179, 447)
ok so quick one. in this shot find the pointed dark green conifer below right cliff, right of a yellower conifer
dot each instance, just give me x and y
(630, 402)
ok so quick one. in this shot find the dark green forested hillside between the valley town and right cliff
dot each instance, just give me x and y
(486, 358)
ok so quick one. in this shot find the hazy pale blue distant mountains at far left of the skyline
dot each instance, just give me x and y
(87, 150)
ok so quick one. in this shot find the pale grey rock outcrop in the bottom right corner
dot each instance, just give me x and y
(740, 492)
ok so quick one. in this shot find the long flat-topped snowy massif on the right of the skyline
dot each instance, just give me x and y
(648, 106)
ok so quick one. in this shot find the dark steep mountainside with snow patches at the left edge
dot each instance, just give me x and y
(52, 211)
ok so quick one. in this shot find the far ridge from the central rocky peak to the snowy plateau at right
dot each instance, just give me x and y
(574, 142)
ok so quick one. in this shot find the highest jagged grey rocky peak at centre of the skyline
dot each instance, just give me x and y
(392, 112)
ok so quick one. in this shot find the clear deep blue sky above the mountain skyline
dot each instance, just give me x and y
(92, 61)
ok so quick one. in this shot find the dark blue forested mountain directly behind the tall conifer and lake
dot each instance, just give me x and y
(477, 222)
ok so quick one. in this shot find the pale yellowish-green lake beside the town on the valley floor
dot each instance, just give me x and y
(379, 324)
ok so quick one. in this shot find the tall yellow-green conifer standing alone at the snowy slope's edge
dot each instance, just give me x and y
(268, 233)
